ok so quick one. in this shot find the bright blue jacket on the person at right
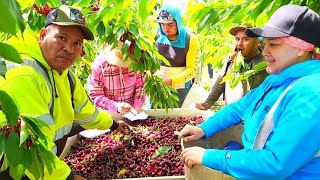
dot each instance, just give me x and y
(295, 139)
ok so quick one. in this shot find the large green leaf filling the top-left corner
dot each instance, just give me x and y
(6, 16)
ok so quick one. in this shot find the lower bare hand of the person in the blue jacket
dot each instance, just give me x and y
(192, 156)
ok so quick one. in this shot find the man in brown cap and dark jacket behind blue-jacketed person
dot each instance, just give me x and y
(249, 48)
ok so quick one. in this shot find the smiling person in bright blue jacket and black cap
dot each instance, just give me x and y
(291, 149)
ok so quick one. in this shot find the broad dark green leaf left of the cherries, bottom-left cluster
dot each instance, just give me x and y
(12, 149)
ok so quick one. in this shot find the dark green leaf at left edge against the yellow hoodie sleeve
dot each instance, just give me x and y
(9, 108)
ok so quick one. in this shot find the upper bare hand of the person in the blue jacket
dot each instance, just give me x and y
(191, 133)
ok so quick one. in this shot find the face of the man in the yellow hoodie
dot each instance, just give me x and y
(61, 45)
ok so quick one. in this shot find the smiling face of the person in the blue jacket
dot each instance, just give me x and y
(279, 55)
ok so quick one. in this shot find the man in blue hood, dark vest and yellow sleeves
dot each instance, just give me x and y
(180, 47)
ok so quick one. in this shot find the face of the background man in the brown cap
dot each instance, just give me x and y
(247, 45)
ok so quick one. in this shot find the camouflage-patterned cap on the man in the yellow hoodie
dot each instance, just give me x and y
(69, 16)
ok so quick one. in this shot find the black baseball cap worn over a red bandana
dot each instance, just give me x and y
(291, 20)
